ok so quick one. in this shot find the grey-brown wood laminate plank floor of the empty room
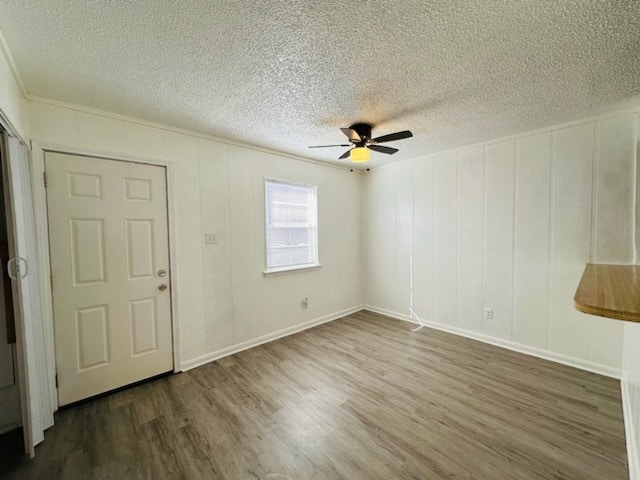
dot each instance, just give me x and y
(359, 398)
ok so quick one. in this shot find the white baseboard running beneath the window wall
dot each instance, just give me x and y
(224, 352)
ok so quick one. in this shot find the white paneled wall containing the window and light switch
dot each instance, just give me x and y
(224, 302)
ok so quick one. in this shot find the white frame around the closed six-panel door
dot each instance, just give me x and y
(39, 149)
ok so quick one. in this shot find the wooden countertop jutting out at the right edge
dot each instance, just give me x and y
(611, 291)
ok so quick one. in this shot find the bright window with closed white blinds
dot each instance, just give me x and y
(292, 226)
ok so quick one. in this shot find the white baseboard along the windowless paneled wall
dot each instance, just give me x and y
(509, 345)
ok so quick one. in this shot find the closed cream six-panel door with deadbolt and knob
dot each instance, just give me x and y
(110, 273)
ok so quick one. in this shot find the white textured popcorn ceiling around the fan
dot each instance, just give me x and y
(288, 74)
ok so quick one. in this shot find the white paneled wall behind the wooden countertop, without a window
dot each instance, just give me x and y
(507, 225)
